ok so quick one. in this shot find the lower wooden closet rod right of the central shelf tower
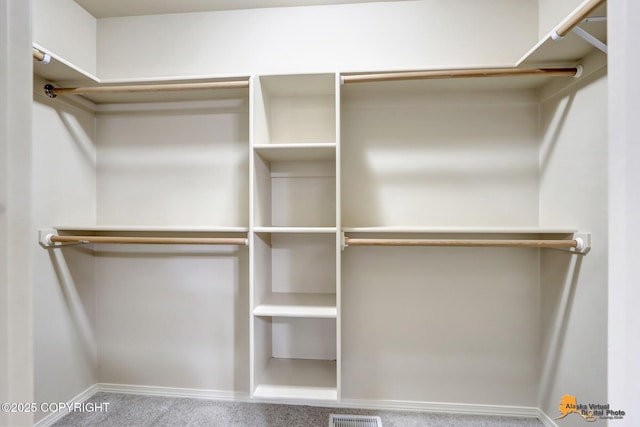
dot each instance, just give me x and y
(506, 243)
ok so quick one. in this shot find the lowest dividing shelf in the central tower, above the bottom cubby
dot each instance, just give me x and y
(298, 305)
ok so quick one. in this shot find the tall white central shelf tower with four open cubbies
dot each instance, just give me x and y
(294, 232)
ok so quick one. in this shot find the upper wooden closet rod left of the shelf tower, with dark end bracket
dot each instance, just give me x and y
(52, 91)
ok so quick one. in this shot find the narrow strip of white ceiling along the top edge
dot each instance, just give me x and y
(113, 8)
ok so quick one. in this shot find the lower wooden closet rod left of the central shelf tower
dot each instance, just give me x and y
(51, 239)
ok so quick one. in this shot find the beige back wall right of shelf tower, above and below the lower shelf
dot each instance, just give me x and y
(440, 324)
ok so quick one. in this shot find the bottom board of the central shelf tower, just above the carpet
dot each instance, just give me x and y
(299, 379)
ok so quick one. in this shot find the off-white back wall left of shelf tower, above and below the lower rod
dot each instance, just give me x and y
(174, 316)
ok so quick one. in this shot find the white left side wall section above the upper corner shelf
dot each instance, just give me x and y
(66, 29)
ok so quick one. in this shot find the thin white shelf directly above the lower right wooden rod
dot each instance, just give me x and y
(463, 230)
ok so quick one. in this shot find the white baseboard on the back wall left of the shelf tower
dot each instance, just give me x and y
(173, 392)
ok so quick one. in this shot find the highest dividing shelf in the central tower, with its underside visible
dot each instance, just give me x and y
(296, 152)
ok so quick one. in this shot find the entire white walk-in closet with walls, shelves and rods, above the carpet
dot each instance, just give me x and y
(361, 204)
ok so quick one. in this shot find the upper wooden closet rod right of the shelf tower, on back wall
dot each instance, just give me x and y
(444, 74)
